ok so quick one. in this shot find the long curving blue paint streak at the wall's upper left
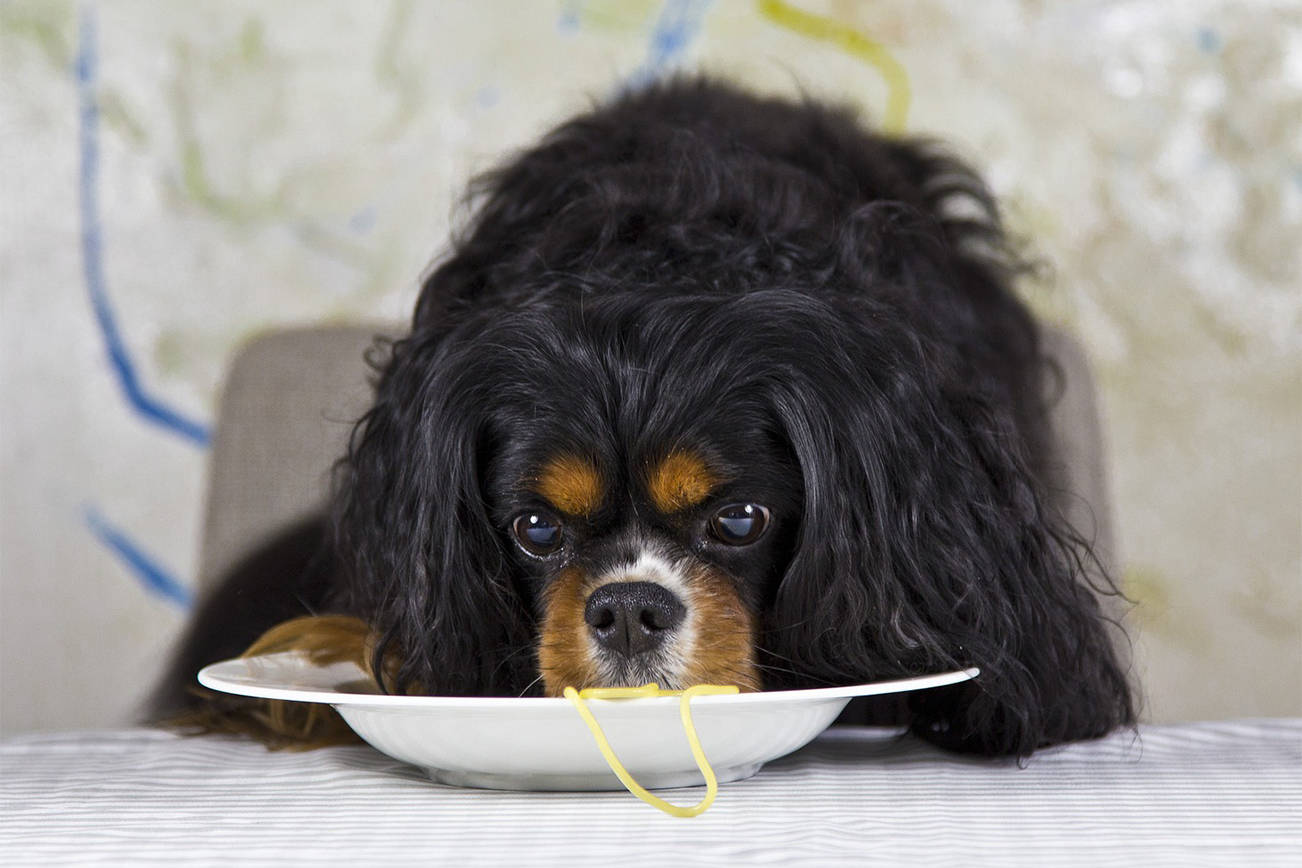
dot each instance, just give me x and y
(93, 253)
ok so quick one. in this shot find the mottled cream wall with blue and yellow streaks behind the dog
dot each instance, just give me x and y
(178, 178)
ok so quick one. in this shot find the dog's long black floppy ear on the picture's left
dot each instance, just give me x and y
(424, 563)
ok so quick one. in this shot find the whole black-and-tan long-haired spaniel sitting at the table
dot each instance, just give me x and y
(713, 388)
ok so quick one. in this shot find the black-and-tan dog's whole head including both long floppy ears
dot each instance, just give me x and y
(762, 490)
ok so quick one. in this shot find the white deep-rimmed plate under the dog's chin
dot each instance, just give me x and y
(542, 744)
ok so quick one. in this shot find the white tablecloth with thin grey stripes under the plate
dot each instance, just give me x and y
(1201, 794)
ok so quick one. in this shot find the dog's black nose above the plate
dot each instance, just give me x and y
(633, 617)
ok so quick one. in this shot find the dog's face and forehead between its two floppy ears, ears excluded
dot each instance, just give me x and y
(646, 515)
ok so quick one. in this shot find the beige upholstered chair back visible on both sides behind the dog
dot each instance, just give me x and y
(292, 398)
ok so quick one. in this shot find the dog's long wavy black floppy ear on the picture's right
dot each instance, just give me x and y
(926, 546)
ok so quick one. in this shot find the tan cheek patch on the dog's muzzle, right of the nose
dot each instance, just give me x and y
(725, 647)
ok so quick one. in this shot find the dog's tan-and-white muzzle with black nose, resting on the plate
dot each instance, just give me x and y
(650, 624)
